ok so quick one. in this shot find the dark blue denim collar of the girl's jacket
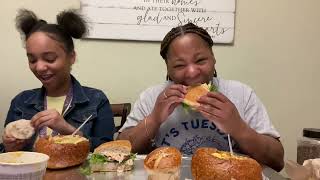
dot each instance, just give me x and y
(79, 96)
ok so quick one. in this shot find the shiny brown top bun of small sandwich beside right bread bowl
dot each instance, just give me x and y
(164, 160)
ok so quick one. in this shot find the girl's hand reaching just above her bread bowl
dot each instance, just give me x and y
(52, 119)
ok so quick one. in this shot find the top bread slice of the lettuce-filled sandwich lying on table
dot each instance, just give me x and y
(124, 144)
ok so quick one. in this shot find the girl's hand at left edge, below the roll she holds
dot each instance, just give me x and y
(12, 144)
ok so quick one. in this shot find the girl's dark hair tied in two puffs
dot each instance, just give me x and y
(69, 25)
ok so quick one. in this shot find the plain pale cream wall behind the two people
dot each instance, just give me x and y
(276, 51)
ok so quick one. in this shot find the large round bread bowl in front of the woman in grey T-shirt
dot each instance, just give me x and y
(209, 163)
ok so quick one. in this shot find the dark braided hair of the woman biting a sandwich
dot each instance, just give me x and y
(180, 31)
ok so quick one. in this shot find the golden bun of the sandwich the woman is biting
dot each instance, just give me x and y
(194, 93)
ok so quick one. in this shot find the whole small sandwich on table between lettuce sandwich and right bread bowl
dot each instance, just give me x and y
(163, 163)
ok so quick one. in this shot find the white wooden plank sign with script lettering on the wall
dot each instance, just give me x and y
(150, 20)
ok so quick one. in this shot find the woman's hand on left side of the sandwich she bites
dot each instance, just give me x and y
(167, 101)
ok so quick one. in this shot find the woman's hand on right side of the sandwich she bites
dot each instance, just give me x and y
(220, 110)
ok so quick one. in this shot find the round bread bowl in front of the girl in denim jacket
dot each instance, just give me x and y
(63, 150)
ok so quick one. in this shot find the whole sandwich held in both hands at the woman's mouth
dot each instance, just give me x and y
(195, 92)
